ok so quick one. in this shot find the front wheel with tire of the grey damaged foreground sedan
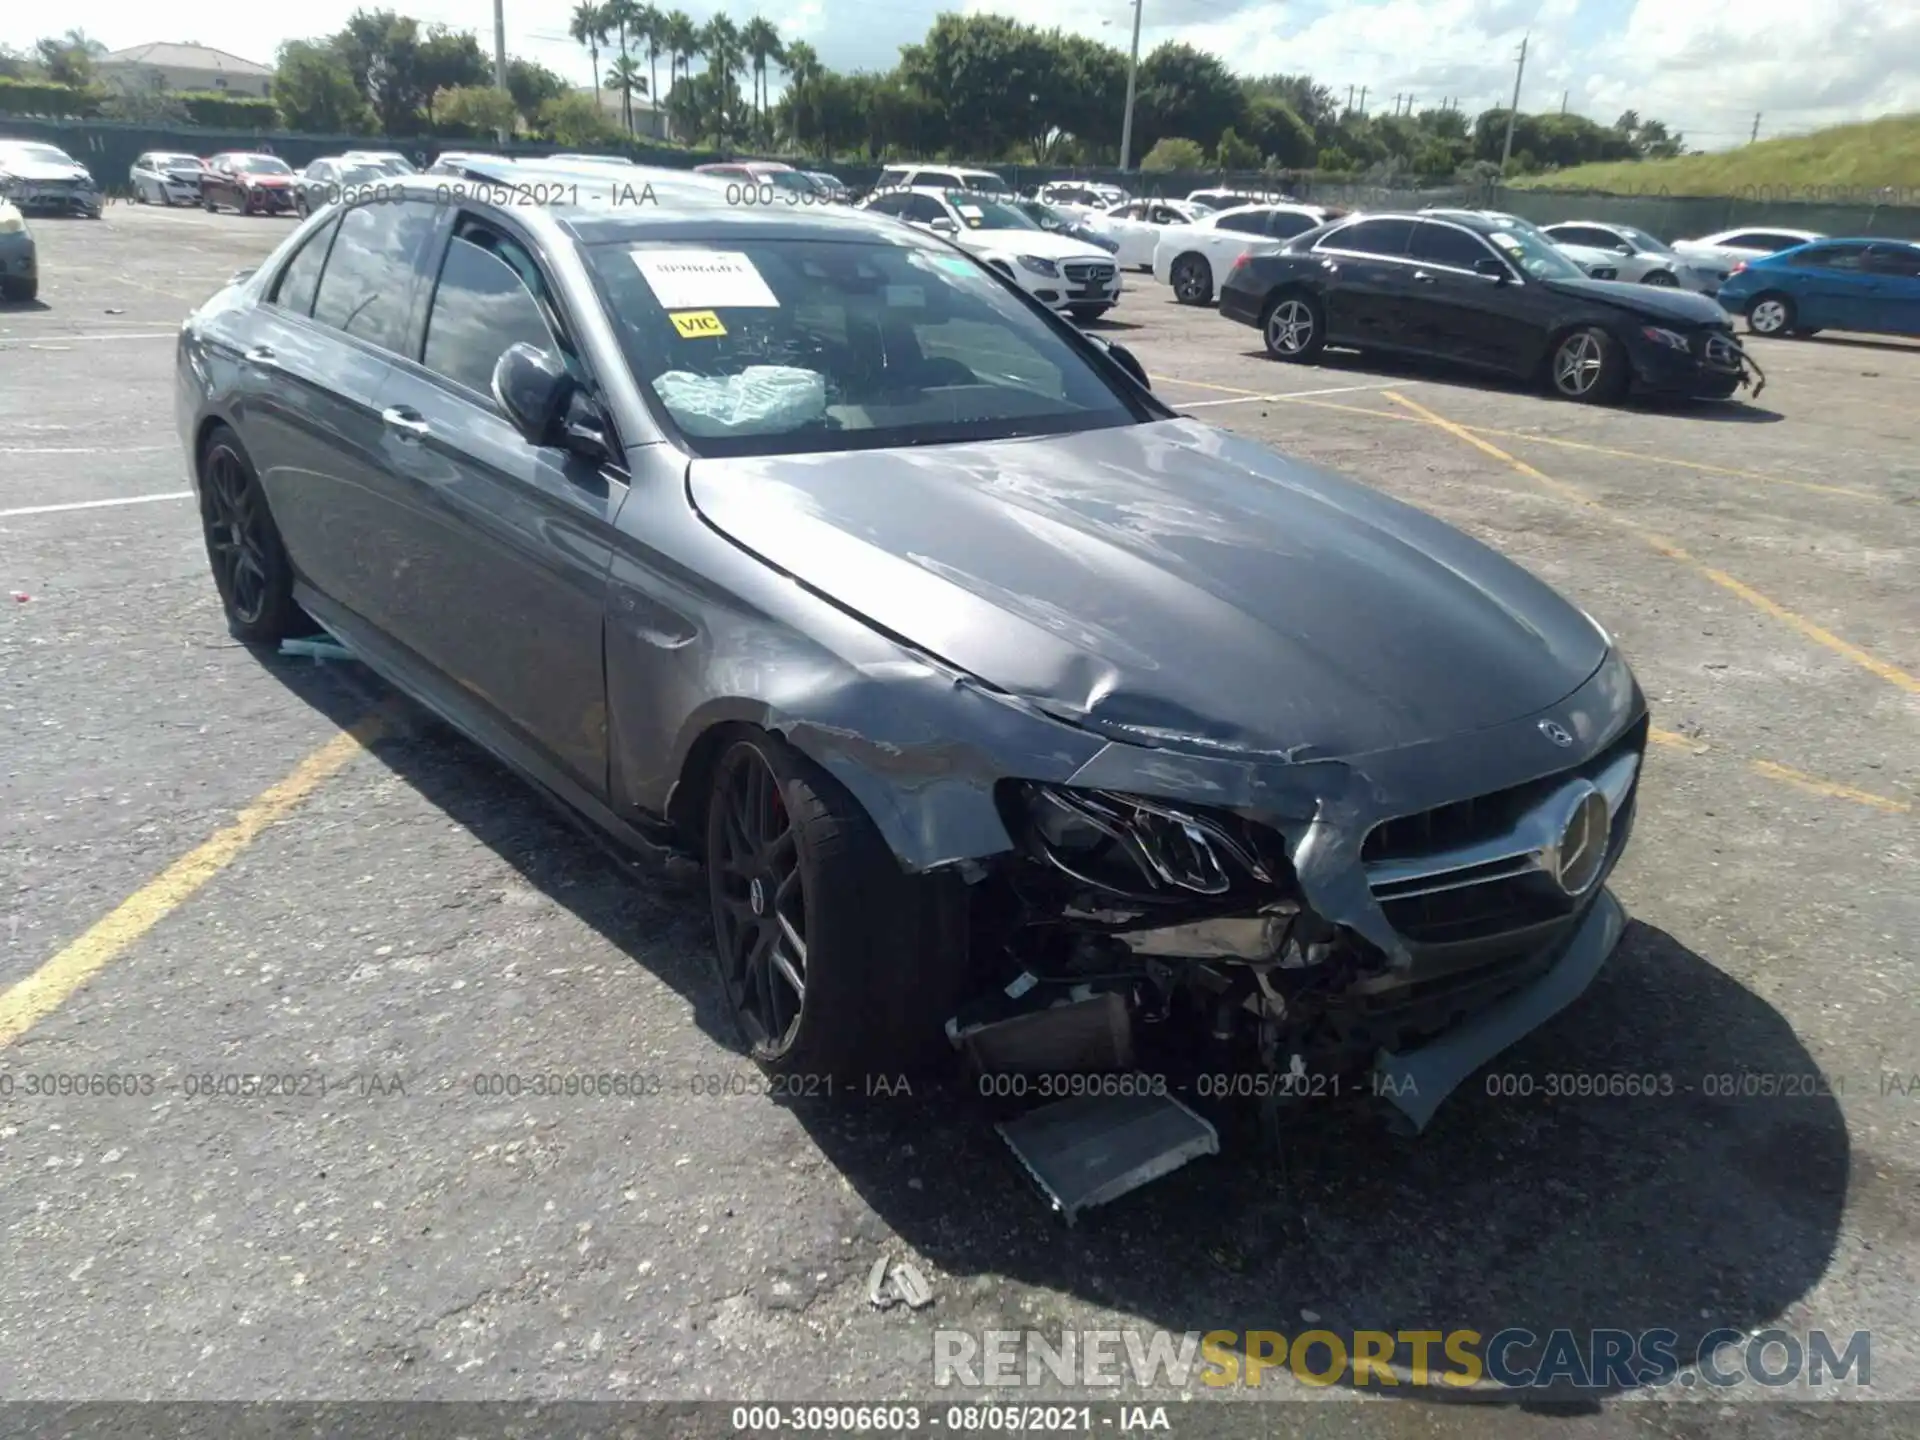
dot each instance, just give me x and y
(832, 961)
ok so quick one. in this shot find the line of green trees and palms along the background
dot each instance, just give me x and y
(974, 89)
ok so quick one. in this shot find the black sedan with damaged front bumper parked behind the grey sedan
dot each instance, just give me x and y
(1491, 293)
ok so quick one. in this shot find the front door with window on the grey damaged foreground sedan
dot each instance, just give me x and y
(502, 546)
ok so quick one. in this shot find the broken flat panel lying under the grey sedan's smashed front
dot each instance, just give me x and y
(1095, 1149)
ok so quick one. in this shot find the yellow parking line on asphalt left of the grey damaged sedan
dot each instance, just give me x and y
(34, 999)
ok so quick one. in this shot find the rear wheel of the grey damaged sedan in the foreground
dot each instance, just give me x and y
(245, 550)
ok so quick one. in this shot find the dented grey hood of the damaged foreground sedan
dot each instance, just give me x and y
(1168, 583)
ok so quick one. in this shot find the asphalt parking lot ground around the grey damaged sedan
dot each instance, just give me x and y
(199, 876)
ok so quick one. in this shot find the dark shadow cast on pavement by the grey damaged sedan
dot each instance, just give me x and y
(1620, 1170)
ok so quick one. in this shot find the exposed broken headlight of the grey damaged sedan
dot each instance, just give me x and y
(1138, 848)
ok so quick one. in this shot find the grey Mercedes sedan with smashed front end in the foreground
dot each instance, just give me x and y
(805, 544)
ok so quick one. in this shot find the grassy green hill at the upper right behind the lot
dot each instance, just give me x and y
(1848, 162)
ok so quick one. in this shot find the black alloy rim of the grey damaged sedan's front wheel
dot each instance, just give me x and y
(759, 901)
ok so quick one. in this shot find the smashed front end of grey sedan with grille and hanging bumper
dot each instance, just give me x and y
(1299, 930)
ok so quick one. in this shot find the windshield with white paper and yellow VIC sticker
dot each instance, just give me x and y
(796, 347)
